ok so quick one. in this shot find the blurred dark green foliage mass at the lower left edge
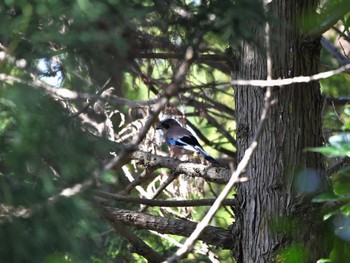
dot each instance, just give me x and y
(43, 151)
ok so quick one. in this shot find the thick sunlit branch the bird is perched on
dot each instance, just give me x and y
(219, 175)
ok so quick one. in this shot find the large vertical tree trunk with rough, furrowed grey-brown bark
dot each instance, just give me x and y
(272, 214)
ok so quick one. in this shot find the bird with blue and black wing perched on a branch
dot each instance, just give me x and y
(179, 137)
